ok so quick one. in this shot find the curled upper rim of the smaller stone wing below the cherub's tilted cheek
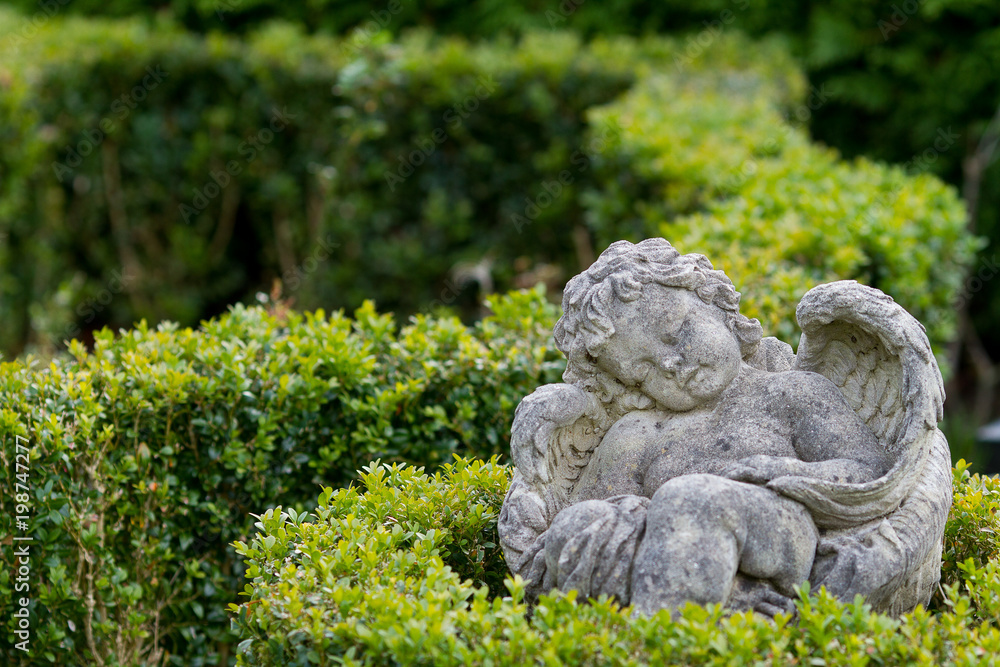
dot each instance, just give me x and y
(536, 420)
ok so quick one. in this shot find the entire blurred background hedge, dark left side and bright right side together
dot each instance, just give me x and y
(400, 167)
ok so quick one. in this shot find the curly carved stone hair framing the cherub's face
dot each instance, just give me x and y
(620, 274)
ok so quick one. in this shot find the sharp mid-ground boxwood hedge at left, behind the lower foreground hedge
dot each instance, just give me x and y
(148, 454)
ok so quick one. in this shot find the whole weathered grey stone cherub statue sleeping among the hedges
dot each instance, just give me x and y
(687, 458)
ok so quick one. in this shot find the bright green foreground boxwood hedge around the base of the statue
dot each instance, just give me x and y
(380, 578)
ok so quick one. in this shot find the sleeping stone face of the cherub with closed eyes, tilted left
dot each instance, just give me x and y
(673, 346)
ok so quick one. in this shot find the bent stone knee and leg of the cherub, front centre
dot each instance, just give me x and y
(701, 529)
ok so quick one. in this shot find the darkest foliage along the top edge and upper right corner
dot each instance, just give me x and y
(910, 82)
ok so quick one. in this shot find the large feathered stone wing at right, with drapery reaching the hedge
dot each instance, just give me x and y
(881, 539)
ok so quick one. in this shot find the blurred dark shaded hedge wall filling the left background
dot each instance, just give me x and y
(465, 132)
